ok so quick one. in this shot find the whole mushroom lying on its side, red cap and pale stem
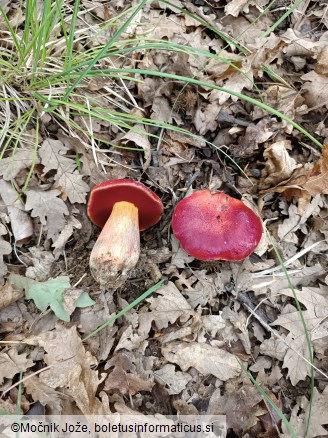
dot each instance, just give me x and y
(123, 208)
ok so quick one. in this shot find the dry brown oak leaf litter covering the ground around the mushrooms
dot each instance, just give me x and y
(180, 350)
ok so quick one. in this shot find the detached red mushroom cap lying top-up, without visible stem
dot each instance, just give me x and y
(214, 226)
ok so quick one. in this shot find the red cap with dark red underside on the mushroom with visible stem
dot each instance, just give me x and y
(106, 194)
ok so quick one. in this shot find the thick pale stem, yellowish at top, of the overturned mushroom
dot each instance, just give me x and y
(117, 249)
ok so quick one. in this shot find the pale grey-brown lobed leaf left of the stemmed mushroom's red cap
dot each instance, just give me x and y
(49, 208)
